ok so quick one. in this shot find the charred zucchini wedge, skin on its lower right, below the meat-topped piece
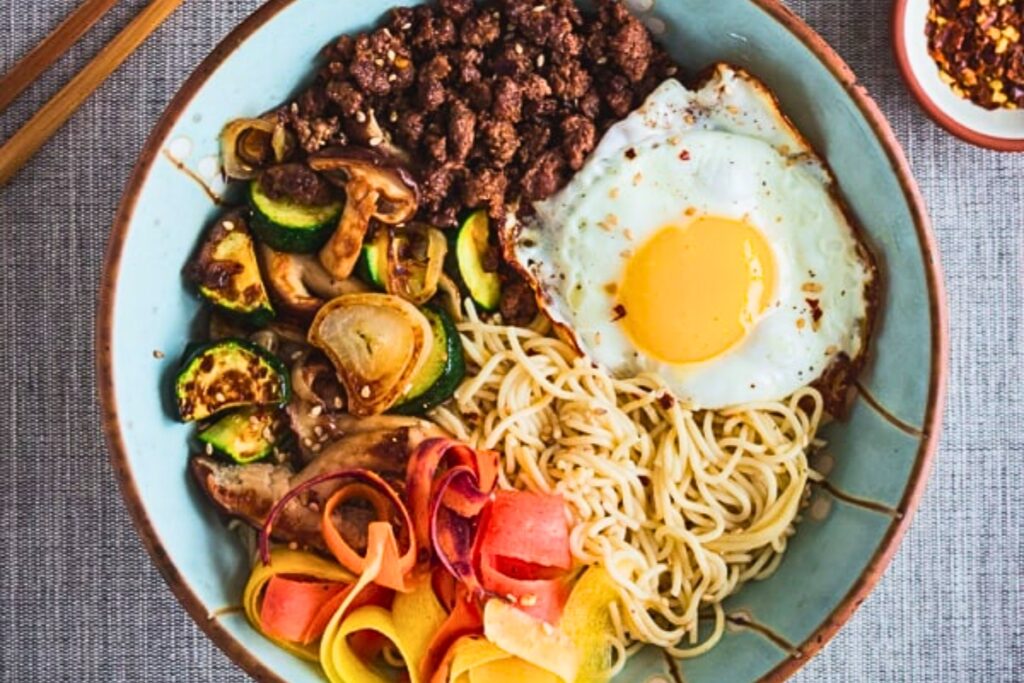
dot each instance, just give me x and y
(227, 274)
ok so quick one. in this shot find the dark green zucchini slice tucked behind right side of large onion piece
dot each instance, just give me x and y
(444, 371)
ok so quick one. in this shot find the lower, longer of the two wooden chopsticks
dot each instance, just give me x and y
(47, 121)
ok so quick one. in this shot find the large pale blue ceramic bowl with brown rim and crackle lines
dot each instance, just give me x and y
(877, 462)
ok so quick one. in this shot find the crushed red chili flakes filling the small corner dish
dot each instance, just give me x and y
(977, 48)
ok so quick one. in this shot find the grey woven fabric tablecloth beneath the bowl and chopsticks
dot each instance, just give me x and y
(79, 600)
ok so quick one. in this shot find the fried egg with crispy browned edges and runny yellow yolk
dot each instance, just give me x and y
(702, 242)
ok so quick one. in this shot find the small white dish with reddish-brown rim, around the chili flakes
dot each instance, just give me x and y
(1000, 130)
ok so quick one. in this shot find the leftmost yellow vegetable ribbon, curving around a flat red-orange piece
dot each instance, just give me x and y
(290, 563)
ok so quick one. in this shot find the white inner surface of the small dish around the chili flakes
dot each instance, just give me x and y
(1003, 124)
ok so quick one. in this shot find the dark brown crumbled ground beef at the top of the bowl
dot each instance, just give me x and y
(496, 104)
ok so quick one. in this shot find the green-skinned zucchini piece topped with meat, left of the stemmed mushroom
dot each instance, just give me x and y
(290, 227)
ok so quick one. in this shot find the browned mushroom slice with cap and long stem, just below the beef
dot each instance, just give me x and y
(376, 188)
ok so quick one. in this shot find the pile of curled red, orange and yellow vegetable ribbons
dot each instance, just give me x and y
(513, 544)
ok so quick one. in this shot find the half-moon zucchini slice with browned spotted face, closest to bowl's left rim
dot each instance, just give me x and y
(231, 373)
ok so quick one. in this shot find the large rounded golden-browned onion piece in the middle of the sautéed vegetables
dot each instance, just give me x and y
(377, 344)
